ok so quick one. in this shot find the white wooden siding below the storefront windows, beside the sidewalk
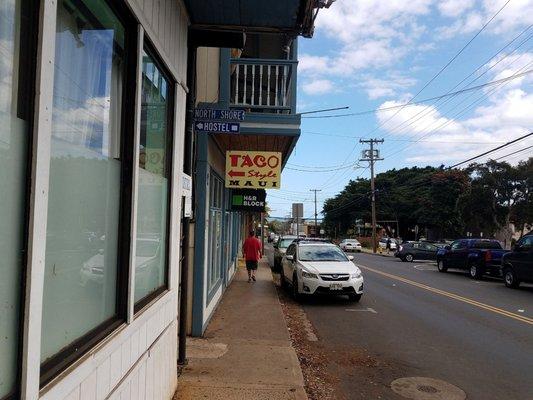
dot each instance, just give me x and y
(143, 356)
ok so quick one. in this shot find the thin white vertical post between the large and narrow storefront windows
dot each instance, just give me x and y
(135, 176)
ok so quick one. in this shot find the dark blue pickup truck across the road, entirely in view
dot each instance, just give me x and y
(478, 256)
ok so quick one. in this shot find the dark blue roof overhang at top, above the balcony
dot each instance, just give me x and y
(289, 16)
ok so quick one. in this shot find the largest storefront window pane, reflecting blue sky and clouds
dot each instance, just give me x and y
(80, 283)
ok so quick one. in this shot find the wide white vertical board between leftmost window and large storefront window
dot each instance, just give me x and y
(40, 172)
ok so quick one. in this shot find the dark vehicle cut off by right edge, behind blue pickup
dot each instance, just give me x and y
(517, 265)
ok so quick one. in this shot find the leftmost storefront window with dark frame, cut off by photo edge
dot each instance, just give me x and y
(15, 113)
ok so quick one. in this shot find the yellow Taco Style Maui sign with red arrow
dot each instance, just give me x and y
(253, 169)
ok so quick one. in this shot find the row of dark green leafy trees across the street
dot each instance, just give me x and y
(447, 203)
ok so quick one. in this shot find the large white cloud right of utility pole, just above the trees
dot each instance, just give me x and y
(445, 140)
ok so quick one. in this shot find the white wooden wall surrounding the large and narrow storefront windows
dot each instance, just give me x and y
(138, 360)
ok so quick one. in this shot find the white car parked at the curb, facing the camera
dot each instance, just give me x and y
(313, 267)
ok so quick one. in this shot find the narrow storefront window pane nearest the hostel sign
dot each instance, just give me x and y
(154, 187)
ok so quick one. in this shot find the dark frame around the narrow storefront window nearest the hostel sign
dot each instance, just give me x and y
(152, 52)
